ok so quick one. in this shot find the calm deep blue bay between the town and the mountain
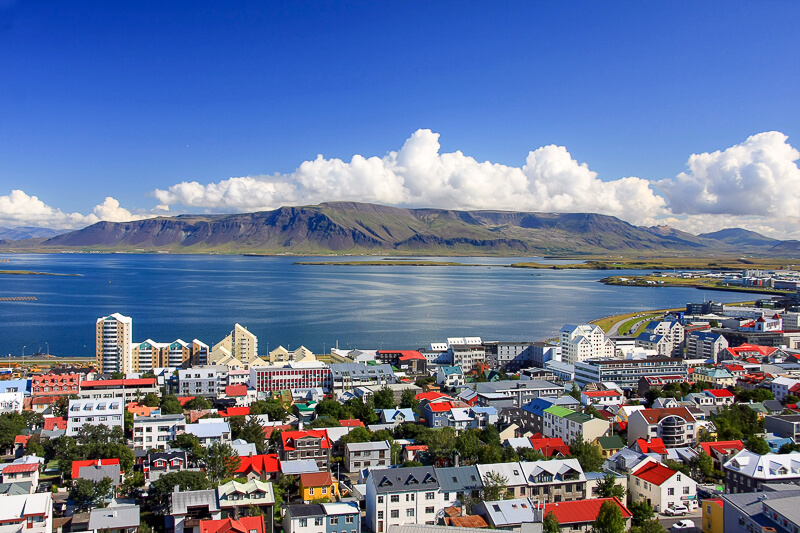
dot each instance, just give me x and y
(187, 297)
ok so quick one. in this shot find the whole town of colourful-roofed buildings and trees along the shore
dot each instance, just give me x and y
(687, 422)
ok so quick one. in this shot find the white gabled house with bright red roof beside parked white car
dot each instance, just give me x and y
(661, 487)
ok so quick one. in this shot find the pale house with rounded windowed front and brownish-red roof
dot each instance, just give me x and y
(675, 426)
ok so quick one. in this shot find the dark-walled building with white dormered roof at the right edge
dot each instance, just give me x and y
(748, 472)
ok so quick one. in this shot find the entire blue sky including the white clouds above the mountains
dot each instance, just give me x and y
(120, 99)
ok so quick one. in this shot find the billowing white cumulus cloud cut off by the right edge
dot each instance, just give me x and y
(757, 177)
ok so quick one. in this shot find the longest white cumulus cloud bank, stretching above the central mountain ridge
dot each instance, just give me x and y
(419, 175)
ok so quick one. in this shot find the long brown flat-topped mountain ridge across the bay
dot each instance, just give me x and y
(367, 228)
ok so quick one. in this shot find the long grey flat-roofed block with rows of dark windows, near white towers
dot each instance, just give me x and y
(626, 373)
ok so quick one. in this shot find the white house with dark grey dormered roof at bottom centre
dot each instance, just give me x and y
(402, 496)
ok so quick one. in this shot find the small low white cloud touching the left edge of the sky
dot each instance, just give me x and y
(20, 209)
